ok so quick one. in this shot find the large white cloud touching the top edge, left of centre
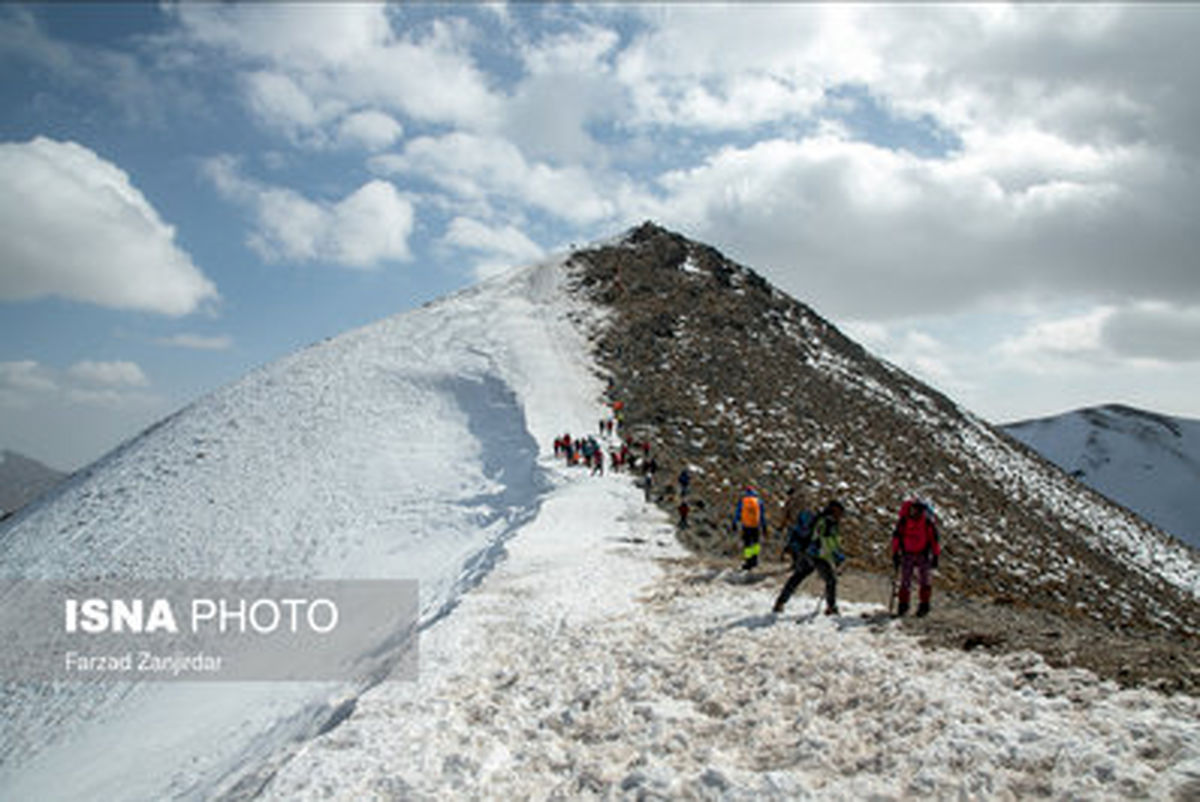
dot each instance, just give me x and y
(323, 61)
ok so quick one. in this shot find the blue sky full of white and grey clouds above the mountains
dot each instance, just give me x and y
(999, 199)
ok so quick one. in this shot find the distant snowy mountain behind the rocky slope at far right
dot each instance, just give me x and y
(1145, 462)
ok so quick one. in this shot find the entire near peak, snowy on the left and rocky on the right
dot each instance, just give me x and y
(556, 653)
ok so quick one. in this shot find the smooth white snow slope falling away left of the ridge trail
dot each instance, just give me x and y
(405, 450)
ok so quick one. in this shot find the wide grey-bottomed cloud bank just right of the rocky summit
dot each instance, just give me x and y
(868, 232)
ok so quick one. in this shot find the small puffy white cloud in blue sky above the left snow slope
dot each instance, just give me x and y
(364, 230)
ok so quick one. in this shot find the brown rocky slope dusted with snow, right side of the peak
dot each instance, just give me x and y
(722, 372)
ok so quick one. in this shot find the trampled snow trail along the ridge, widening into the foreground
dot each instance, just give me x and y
(598, 661)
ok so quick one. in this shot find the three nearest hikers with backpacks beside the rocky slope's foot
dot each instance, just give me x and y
(814, 546)
